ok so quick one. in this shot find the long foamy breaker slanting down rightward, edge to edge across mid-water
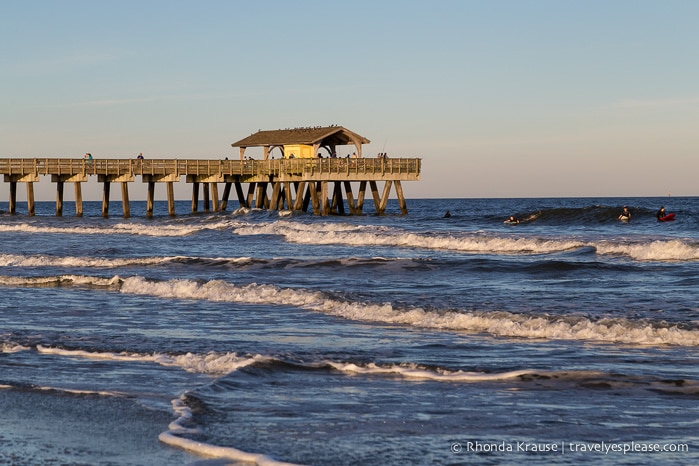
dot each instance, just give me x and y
(500, 324)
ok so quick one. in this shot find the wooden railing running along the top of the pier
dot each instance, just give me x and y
(398, 167)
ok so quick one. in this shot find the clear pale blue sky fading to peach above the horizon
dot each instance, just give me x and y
(499, 98)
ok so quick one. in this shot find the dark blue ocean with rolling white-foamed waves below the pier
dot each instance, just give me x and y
(271, 338)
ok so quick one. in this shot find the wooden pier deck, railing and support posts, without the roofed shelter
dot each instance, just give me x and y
(288, 183)
